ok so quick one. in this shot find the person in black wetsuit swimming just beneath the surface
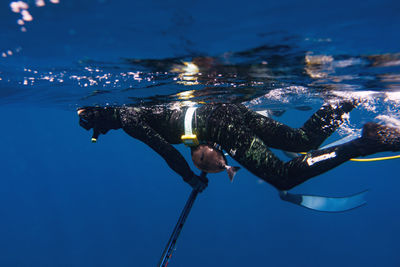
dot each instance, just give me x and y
(246, 136)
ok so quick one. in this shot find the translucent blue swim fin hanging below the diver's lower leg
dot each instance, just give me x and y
(326, 204)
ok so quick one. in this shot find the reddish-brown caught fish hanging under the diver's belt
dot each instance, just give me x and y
(212, 160)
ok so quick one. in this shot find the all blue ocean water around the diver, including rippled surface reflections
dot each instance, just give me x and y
(65, 201)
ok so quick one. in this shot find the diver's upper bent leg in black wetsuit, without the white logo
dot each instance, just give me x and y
(310, 136)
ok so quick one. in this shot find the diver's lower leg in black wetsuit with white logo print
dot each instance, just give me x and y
(226, 127)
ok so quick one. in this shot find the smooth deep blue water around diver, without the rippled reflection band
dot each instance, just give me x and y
(68, 202)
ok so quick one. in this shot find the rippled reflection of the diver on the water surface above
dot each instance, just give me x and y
(269, 72)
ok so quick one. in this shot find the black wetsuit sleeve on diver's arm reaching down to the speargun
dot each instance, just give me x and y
(150, 137)
